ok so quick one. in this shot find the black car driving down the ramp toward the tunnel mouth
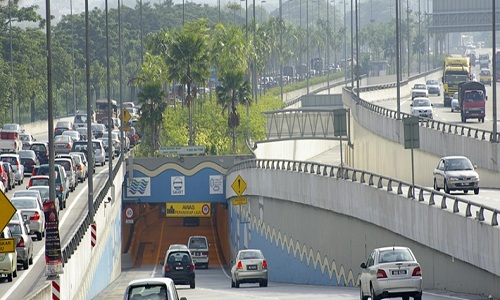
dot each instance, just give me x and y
(179, 266)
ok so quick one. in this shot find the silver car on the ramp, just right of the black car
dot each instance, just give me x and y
(250, 266)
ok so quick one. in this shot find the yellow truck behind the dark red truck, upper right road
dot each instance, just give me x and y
(455, 70)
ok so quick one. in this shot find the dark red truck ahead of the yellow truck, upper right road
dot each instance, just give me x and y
(472, 100)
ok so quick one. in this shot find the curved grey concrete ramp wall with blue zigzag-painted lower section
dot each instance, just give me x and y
(325, 227)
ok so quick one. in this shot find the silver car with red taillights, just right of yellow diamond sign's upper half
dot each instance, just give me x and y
(31, 210)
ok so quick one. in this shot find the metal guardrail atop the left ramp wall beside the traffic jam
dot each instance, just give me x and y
(77, 236)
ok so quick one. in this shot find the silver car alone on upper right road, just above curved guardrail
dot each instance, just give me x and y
(456, 173)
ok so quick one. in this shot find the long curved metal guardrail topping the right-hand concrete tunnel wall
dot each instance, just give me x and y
(423, 194)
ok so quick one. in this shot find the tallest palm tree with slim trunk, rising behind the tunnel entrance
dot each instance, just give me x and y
(187, 59)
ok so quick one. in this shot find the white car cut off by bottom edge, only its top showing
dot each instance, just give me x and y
(152, 288)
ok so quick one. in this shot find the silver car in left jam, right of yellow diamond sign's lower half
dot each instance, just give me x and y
(24, 244)
